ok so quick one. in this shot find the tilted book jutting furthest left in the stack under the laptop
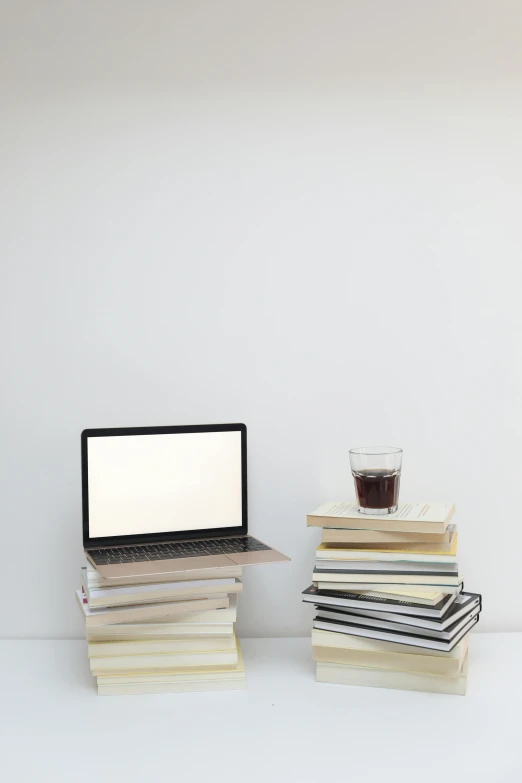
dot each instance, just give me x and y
(120, 614)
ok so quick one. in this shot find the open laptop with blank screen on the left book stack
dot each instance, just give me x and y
(158, 500)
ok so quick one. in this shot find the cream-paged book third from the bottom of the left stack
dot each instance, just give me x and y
(100, 649)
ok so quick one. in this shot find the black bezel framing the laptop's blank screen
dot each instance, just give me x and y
(150, 538)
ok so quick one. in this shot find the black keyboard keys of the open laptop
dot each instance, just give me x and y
(168, 550)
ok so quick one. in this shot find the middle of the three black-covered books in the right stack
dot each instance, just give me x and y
(456, 618)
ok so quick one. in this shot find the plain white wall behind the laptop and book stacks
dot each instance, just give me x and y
(300, 215)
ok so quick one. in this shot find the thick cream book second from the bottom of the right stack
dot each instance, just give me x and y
(382, 659)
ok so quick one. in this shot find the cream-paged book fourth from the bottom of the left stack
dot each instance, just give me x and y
(157, 631)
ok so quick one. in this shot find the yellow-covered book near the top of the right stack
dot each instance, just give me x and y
(416, 553)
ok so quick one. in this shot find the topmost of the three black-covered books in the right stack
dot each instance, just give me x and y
(313, 595)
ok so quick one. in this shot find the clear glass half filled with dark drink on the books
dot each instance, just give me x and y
(376, 472)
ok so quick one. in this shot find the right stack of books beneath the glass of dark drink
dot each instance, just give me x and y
(391, 611)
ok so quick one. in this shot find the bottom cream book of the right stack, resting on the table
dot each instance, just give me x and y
(340, 674)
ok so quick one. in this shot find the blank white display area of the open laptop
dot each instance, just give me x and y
(164, 483)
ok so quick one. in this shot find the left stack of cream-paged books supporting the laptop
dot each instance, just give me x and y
(163, 633)
